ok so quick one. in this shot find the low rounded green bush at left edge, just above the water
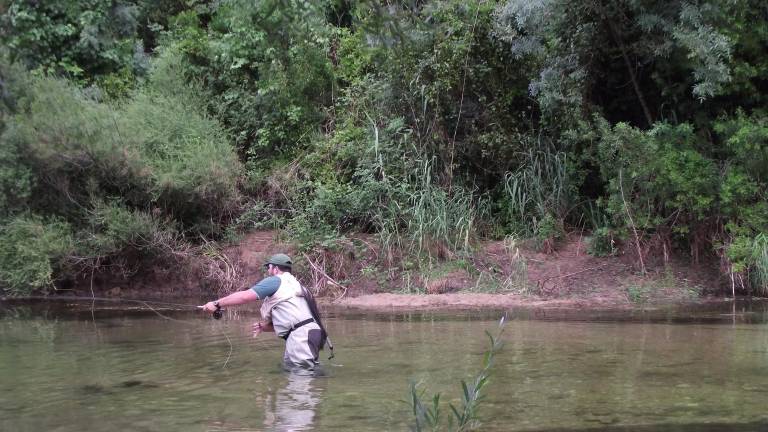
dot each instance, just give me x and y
(33, 251)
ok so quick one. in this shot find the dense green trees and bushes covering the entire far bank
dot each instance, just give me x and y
(130, 130)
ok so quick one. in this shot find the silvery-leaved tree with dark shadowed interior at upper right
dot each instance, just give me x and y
(591, 50)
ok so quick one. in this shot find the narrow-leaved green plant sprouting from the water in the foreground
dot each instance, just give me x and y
(429, 416)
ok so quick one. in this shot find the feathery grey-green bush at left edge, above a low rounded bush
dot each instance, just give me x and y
(70, 141)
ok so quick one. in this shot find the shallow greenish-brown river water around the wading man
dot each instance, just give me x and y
(75, 367)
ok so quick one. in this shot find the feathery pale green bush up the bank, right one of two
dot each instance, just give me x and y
(191, 168)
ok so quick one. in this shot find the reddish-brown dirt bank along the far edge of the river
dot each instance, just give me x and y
(354, 276)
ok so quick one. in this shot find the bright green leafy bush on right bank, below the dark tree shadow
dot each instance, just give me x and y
(657, 177)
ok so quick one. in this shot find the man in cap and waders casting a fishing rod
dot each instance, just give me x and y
(287, 309)
